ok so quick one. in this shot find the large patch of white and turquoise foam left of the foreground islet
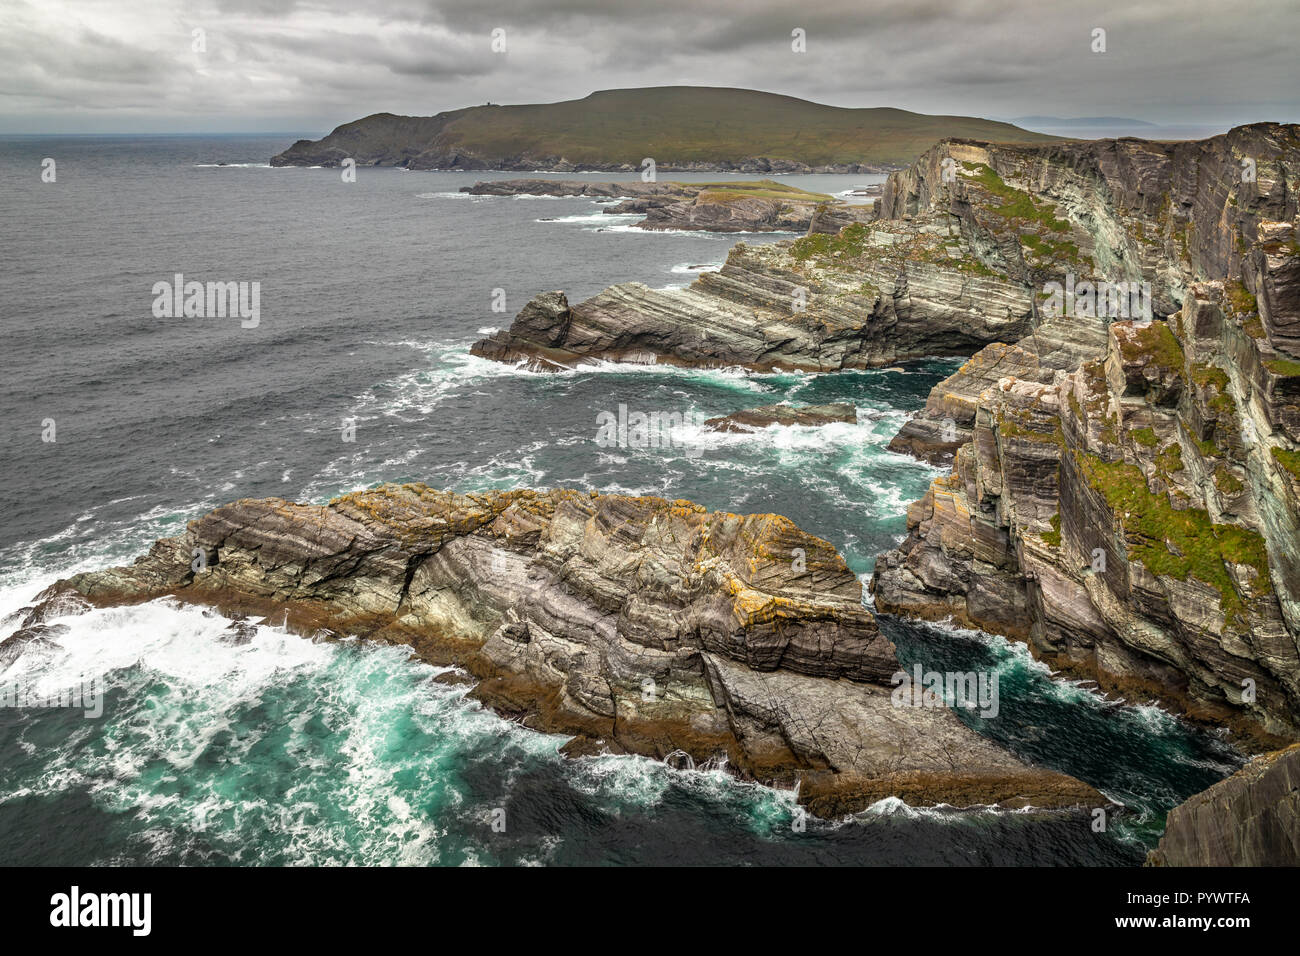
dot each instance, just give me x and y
(181, 691)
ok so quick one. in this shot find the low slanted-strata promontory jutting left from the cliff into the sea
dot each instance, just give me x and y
(872, 296)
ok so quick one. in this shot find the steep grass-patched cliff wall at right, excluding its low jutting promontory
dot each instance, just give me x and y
(1126, 491)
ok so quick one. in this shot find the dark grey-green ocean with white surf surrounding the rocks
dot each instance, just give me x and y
(285, 751)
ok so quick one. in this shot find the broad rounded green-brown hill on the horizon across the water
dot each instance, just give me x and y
(679, 127)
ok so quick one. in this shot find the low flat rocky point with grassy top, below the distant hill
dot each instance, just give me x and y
(761, 206)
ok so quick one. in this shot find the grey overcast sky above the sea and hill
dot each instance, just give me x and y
(310, 66)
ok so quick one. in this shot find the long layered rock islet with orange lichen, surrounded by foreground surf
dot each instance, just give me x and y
(635, 625)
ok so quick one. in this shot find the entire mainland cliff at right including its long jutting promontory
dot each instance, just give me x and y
(1126, 486)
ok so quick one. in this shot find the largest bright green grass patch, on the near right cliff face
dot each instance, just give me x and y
(1178, 543)
